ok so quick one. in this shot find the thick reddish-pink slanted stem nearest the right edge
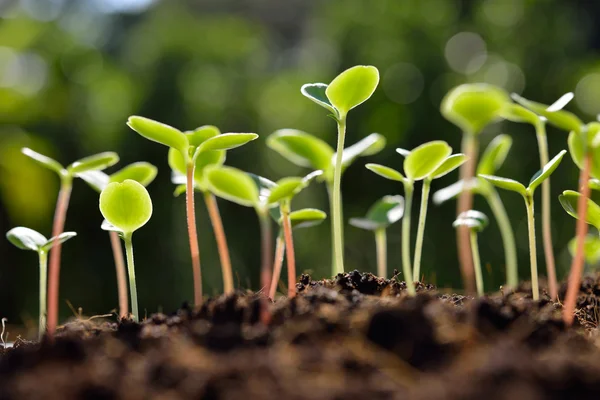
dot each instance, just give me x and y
(581, 231)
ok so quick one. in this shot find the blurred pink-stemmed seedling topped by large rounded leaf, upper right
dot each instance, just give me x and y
(471, 107)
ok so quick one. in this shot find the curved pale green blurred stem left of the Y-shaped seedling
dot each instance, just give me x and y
(508, 236)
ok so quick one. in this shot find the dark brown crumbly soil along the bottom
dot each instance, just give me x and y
(355, 337)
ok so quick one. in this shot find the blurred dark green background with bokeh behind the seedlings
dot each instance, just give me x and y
(72, 71)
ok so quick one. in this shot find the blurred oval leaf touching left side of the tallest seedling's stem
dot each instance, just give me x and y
(301, 148)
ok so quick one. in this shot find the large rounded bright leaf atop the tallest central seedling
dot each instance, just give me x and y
(352, 87)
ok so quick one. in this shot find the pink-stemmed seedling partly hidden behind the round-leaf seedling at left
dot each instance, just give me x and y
(141, 172)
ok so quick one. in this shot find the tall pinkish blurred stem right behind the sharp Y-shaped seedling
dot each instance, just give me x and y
(546, 221)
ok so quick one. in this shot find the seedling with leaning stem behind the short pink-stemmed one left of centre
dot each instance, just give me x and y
(304, 218)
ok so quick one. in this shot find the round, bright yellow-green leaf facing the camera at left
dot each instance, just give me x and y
(126, 205)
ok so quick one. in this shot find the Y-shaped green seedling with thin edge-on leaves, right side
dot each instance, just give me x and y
(527, 194)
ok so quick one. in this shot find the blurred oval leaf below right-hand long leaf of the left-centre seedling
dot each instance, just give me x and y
(233, 184)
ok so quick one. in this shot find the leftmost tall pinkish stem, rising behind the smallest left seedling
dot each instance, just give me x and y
(58, 227)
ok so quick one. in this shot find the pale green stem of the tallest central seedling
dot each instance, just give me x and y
(337, 202)
